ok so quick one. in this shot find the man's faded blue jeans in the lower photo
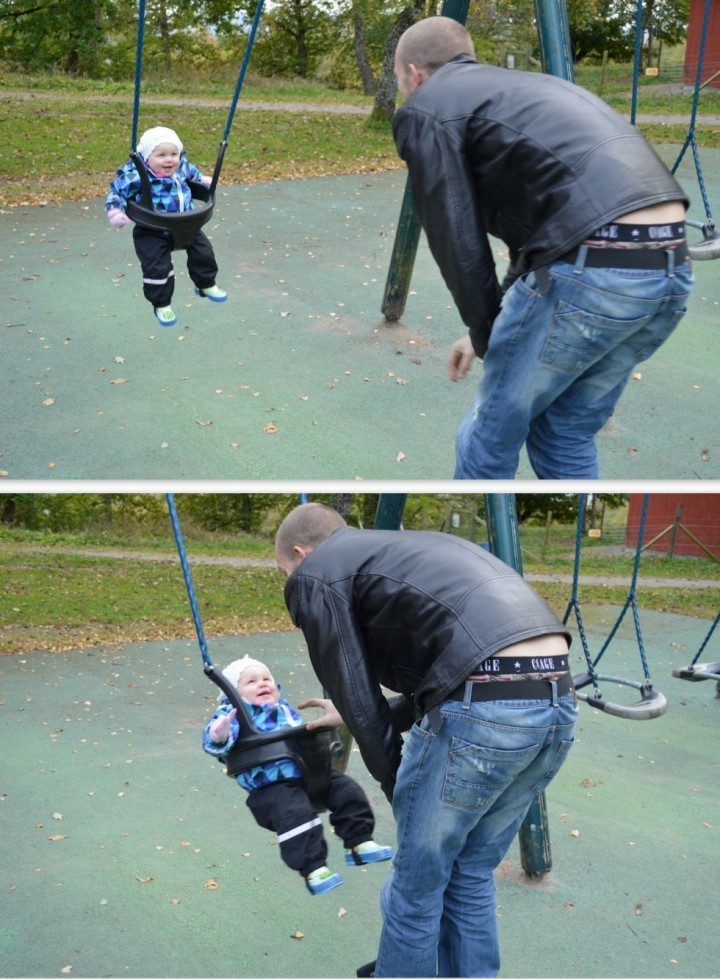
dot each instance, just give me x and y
(459, 800)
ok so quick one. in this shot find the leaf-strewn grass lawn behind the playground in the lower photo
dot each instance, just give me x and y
(60, 593)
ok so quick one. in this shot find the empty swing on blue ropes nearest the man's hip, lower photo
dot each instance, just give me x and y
(653, 703)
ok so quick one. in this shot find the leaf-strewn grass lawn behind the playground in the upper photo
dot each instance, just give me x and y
(62, 139)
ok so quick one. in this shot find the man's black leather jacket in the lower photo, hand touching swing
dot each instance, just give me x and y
(412, 611)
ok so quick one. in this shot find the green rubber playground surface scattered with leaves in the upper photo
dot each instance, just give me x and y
(298, 375)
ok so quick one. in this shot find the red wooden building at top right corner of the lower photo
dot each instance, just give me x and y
(677, 523)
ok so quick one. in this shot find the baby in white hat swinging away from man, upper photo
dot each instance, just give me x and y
(169, 170)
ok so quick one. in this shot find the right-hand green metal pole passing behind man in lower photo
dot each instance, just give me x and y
(504, 540)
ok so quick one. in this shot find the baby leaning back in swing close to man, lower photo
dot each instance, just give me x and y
(277, 797)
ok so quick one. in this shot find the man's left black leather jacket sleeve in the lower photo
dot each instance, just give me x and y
(338, 656)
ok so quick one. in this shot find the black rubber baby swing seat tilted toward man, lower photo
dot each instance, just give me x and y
(314, 752)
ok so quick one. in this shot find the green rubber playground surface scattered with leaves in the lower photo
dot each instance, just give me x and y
(127, 852)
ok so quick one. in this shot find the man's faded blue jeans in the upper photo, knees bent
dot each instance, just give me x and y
(557, 364)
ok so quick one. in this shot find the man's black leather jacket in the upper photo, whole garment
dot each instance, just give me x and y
(526, 157)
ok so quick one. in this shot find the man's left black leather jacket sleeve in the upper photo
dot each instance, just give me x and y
(446, 200)
